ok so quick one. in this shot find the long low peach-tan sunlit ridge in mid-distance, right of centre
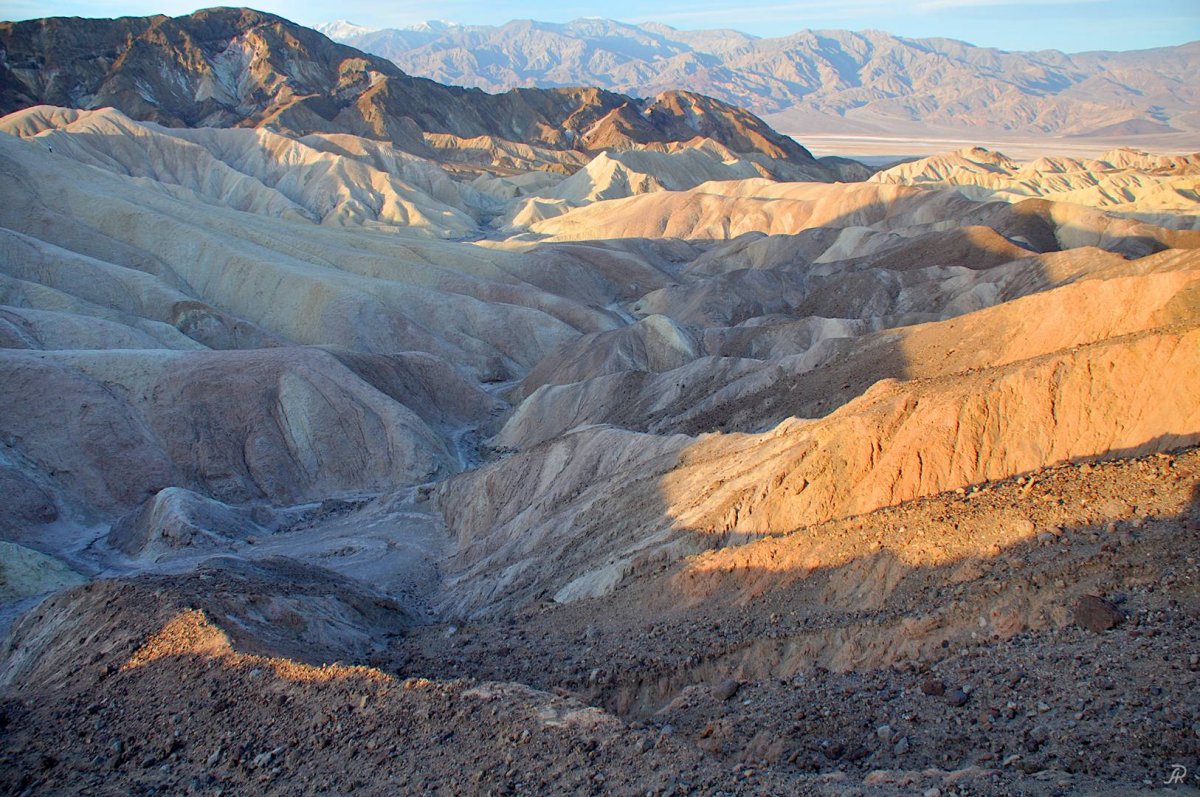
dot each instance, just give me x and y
(722, 212)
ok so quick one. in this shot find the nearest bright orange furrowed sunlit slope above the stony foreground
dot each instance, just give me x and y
(899, 444)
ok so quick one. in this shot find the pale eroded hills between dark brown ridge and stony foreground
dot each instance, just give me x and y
(260, 346)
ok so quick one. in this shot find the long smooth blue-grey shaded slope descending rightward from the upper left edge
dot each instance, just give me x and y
(297, 283)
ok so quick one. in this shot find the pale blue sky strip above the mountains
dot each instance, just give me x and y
(1071, 26)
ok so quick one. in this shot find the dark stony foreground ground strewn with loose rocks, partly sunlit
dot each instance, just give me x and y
(1048, 645)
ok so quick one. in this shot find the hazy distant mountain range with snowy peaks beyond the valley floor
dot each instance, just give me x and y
(829, 81)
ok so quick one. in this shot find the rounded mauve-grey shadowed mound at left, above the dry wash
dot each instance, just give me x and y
(285, 424)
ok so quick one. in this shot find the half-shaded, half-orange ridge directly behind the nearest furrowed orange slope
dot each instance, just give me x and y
(770, 371)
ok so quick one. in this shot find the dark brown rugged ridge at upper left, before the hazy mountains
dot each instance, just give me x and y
(237, 68)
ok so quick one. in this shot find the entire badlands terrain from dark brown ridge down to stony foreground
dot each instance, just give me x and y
(365, 435)
